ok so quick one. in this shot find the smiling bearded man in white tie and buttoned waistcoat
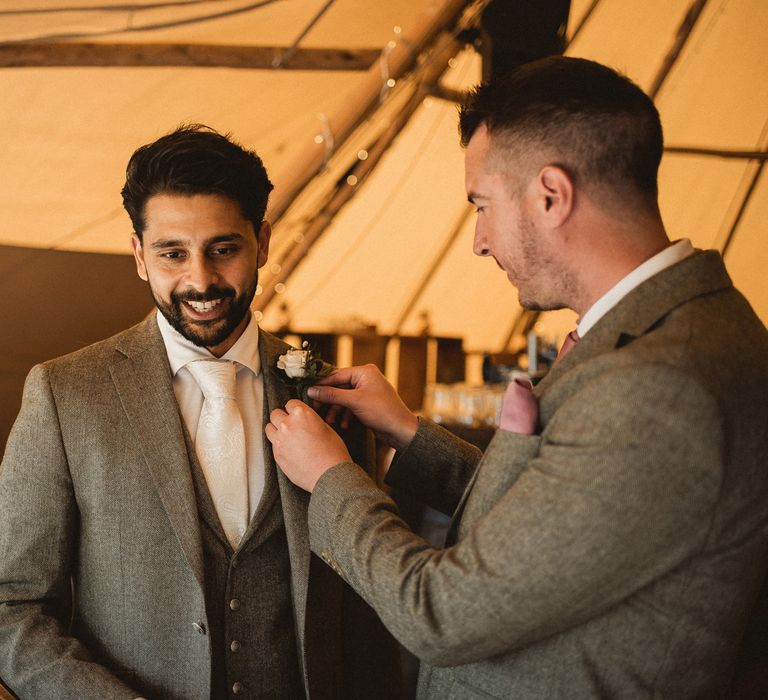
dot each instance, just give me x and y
(134, 559)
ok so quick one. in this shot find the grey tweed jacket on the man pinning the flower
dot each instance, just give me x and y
(614, 554)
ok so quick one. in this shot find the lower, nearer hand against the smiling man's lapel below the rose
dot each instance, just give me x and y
(305, 447)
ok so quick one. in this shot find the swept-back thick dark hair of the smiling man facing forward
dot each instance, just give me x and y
(195, 159)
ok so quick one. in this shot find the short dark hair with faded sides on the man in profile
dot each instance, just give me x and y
(601, 126)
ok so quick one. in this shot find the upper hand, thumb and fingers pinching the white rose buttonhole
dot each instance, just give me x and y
(366, 393)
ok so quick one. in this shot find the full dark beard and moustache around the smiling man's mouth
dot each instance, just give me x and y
(207, 333)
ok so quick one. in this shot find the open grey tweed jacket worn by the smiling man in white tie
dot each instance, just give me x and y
(101, 565)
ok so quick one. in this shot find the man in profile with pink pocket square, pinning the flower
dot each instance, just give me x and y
(614, 548)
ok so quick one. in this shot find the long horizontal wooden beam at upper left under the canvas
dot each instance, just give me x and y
(35, 55)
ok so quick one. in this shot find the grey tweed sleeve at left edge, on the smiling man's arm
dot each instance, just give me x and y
(38, 548)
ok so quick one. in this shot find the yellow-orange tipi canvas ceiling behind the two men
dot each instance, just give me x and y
(400, 243)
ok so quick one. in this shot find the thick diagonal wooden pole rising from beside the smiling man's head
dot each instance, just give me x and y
(397, 59)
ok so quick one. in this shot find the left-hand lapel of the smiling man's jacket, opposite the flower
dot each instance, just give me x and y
(142, 377)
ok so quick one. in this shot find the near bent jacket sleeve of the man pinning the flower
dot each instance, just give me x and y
(619, 490)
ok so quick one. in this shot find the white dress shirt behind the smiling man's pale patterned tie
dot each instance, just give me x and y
(250, 394)
